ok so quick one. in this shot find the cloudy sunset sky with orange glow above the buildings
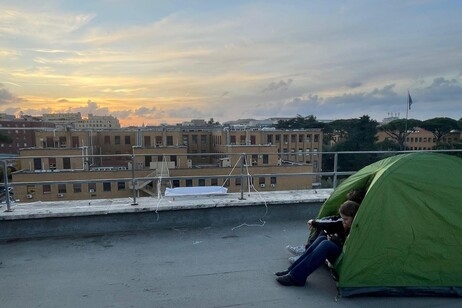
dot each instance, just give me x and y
(151, 61)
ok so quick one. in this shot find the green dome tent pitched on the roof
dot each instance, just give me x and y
(407, 236)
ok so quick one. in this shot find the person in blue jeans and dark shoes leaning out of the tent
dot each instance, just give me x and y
(327, 246)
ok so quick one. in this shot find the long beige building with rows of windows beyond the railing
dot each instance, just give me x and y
(85, 164)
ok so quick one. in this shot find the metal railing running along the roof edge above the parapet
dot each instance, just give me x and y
(329, 177)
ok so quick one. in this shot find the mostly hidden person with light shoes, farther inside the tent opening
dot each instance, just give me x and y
(356, 195)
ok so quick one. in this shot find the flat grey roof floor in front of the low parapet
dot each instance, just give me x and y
(217, 266)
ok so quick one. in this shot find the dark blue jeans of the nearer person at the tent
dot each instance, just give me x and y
(314, 257)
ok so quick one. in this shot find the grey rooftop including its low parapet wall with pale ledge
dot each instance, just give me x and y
(221, 253)
